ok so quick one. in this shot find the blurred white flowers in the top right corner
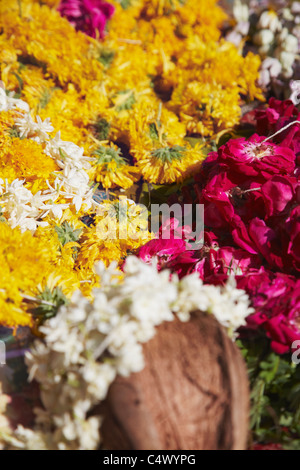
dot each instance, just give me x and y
(276, 35)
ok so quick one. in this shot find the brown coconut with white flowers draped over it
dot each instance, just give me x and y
(192, 394)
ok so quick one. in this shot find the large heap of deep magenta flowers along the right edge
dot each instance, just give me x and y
(250, 190)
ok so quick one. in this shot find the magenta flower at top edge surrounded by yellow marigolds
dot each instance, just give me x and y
(88, 16)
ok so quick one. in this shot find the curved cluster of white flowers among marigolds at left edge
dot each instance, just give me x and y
(22, 208)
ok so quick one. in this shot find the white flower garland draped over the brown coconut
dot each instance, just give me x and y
(87, 344)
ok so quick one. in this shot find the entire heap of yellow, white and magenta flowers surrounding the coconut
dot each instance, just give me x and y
(105, 105)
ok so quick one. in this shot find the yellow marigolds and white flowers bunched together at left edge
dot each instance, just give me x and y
(45, 189)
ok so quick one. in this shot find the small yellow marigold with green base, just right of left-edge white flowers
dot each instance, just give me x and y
(112, 169)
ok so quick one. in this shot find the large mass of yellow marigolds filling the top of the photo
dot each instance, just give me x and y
(138, 91)
